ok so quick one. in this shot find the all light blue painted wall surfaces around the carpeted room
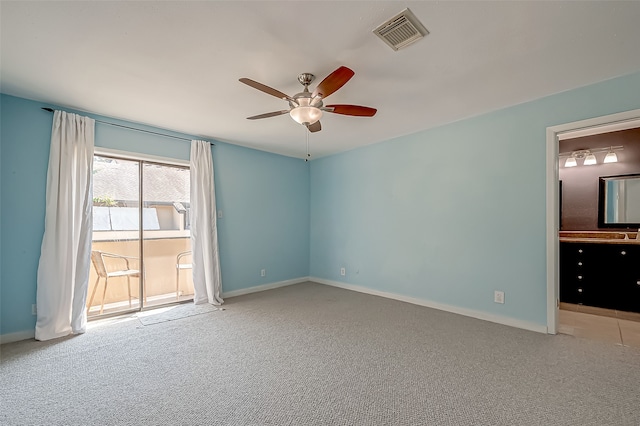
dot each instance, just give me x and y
(447, 215)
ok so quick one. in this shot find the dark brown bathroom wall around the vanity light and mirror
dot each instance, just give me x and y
(580, 184)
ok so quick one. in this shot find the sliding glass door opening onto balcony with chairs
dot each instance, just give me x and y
(141, 240)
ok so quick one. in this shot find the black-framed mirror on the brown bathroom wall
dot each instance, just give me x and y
(619, 201)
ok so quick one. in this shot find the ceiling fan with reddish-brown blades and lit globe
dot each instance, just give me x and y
(306, 107)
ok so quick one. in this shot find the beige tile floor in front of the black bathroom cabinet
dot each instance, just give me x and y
(620, 328)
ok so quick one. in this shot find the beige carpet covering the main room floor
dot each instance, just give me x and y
(315, 355)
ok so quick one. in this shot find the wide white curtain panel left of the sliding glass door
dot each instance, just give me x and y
(63, 271)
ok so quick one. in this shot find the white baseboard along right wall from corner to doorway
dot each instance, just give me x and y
(499, 319)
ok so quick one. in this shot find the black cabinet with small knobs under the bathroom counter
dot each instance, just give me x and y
(600, 274)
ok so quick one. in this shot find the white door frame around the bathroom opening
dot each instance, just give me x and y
(612, 122)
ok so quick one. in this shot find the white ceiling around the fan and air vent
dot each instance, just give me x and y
(176, 65)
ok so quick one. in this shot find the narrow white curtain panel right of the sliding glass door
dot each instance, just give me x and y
(207, 279)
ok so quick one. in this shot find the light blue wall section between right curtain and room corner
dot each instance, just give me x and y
(264, 199)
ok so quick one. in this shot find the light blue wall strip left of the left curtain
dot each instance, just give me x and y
(24, 173)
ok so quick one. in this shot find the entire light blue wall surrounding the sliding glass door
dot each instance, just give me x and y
(264, 199)
